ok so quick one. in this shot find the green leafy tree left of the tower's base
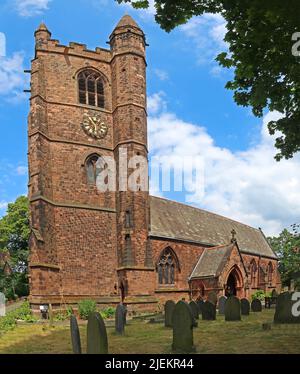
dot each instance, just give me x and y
(14, 236)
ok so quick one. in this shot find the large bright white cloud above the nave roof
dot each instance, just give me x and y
(248, 186)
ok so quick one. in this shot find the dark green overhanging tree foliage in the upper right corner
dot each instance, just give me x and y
(259, 35)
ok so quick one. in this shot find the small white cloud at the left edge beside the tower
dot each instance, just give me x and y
(12, 77)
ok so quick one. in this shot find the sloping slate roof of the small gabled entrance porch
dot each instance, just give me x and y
(212, 262)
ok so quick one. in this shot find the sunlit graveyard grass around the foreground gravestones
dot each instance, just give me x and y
(217, 336)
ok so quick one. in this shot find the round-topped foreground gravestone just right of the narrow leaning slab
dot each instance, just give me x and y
(96, 335)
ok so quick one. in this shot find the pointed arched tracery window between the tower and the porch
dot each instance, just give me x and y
(167, 266)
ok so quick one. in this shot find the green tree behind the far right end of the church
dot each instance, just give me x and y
(287, 248)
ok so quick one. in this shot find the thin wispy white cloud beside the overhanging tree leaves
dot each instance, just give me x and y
(206, 34)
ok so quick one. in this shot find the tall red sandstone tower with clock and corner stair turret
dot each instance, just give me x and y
(87, 106)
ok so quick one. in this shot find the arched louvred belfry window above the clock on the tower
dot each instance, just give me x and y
(91, 88)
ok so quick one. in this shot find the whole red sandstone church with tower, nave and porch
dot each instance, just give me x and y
(117, 245)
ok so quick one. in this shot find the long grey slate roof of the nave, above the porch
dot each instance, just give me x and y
(173, 220)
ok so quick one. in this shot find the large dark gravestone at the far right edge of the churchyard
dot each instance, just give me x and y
(284, 309)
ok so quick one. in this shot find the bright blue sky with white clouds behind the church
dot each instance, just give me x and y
(190, 111)
